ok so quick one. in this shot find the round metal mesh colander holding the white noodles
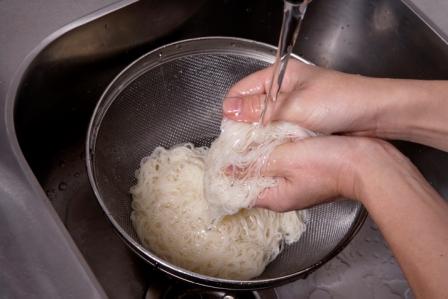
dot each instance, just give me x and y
(174, 95)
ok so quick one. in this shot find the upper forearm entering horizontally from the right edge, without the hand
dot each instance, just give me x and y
(414, 110)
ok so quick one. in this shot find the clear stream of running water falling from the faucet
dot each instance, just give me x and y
(293, 13)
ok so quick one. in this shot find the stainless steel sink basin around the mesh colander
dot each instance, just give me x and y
(61, 86)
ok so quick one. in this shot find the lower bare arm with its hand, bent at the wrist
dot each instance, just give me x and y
(409, 212)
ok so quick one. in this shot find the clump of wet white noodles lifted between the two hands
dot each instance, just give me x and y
(243, 146)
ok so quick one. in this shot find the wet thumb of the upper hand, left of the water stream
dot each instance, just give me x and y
(244, 108)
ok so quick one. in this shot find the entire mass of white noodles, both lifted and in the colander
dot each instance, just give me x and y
(173, 218)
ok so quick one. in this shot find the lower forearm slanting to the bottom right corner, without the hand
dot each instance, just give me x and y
(414, 220)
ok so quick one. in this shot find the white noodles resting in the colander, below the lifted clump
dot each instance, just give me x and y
(170, 216)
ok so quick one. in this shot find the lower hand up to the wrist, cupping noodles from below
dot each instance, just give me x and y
(310, 171)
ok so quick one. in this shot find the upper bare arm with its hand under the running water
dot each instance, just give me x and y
(332, 102)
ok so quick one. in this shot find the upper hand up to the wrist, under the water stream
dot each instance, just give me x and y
(318, 99)
